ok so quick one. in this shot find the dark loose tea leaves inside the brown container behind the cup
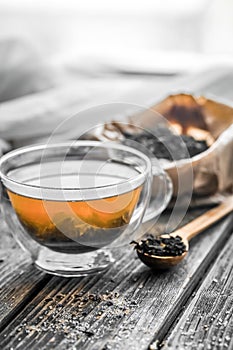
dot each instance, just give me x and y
(162, 143)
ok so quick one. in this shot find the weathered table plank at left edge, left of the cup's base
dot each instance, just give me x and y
(19, 280)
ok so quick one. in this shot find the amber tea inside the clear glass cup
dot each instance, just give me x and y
(77, 225)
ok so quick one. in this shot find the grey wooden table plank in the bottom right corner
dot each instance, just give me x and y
(207, 323)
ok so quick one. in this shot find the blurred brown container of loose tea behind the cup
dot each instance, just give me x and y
(201, 118)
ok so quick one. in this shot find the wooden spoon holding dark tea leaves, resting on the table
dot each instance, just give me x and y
(187, 232)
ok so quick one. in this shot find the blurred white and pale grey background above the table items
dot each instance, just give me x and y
(128, 51)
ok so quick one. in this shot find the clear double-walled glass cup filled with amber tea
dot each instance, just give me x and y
(69, 204)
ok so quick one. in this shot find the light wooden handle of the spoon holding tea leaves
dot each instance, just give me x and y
(205, 220)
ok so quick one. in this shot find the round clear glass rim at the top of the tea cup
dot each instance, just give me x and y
(73, 143)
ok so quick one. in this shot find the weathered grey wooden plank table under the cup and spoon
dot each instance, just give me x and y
(128, 306)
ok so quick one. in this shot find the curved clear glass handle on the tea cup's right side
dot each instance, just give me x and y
(161, 193)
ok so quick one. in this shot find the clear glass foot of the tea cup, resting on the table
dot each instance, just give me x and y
(73, 265)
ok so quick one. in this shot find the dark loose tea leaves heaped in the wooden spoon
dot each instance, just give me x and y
(161, 246)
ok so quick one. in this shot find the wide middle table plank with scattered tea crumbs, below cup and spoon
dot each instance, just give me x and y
(125, 308)
